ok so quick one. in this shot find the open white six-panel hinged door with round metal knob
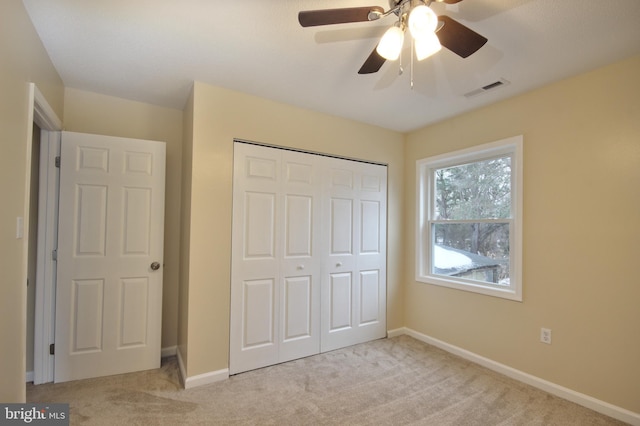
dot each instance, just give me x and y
(110, 250)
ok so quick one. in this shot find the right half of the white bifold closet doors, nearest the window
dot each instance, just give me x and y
(354, 264)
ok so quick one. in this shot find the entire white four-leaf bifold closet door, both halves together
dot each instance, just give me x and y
(308, 257)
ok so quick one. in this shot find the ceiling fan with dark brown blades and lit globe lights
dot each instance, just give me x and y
(428, 31)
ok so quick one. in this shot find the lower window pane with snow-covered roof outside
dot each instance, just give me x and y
(475, 251)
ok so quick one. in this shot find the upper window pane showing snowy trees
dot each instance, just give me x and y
(480, 190)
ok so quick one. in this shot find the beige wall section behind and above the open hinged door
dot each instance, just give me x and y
(88, 112)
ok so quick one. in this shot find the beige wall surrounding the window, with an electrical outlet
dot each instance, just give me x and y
(581, 233)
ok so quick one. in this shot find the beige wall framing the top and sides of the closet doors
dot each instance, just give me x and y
(219, 116)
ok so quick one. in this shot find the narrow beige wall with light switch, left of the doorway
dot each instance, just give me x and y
(23, 60)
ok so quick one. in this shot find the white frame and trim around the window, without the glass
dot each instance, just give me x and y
(424, 209)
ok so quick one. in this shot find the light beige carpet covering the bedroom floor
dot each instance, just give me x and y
(398, 381)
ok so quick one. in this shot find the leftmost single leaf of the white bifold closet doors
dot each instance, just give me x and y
(255, 268)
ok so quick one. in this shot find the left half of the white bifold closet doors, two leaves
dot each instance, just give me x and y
(275, 278)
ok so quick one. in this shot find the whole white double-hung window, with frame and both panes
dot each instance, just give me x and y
(469, 209)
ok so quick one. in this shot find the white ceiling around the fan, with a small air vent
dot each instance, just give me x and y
(152, 51)
